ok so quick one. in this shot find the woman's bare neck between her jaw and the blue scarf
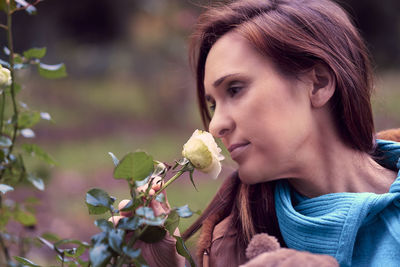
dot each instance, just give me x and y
(329, 166)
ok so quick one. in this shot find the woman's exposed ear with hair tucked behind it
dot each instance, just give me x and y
(323, 85)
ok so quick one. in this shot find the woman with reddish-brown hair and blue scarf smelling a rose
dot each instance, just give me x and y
(286, 85)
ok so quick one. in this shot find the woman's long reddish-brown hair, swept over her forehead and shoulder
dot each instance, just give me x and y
(296, 35)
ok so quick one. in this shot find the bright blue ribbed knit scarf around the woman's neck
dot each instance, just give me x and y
(329, 224)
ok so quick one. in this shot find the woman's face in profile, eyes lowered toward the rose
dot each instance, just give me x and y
(263, 117)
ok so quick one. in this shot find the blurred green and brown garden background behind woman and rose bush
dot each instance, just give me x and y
(129, 87)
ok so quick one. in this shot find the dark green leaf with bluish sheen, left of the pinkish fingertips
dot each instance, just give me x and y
(98, 201)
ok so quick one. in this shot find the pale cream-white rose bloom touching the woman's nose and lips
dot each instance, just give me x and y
(203, 153)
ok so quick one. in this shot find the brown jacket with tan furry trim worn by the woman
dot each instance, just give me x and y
(217, 242)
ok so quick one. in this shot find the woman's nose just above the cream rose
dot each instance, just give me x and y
(221, 124)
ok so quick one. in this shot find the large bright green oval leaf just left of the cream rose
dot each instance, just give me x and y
(136, 166)
